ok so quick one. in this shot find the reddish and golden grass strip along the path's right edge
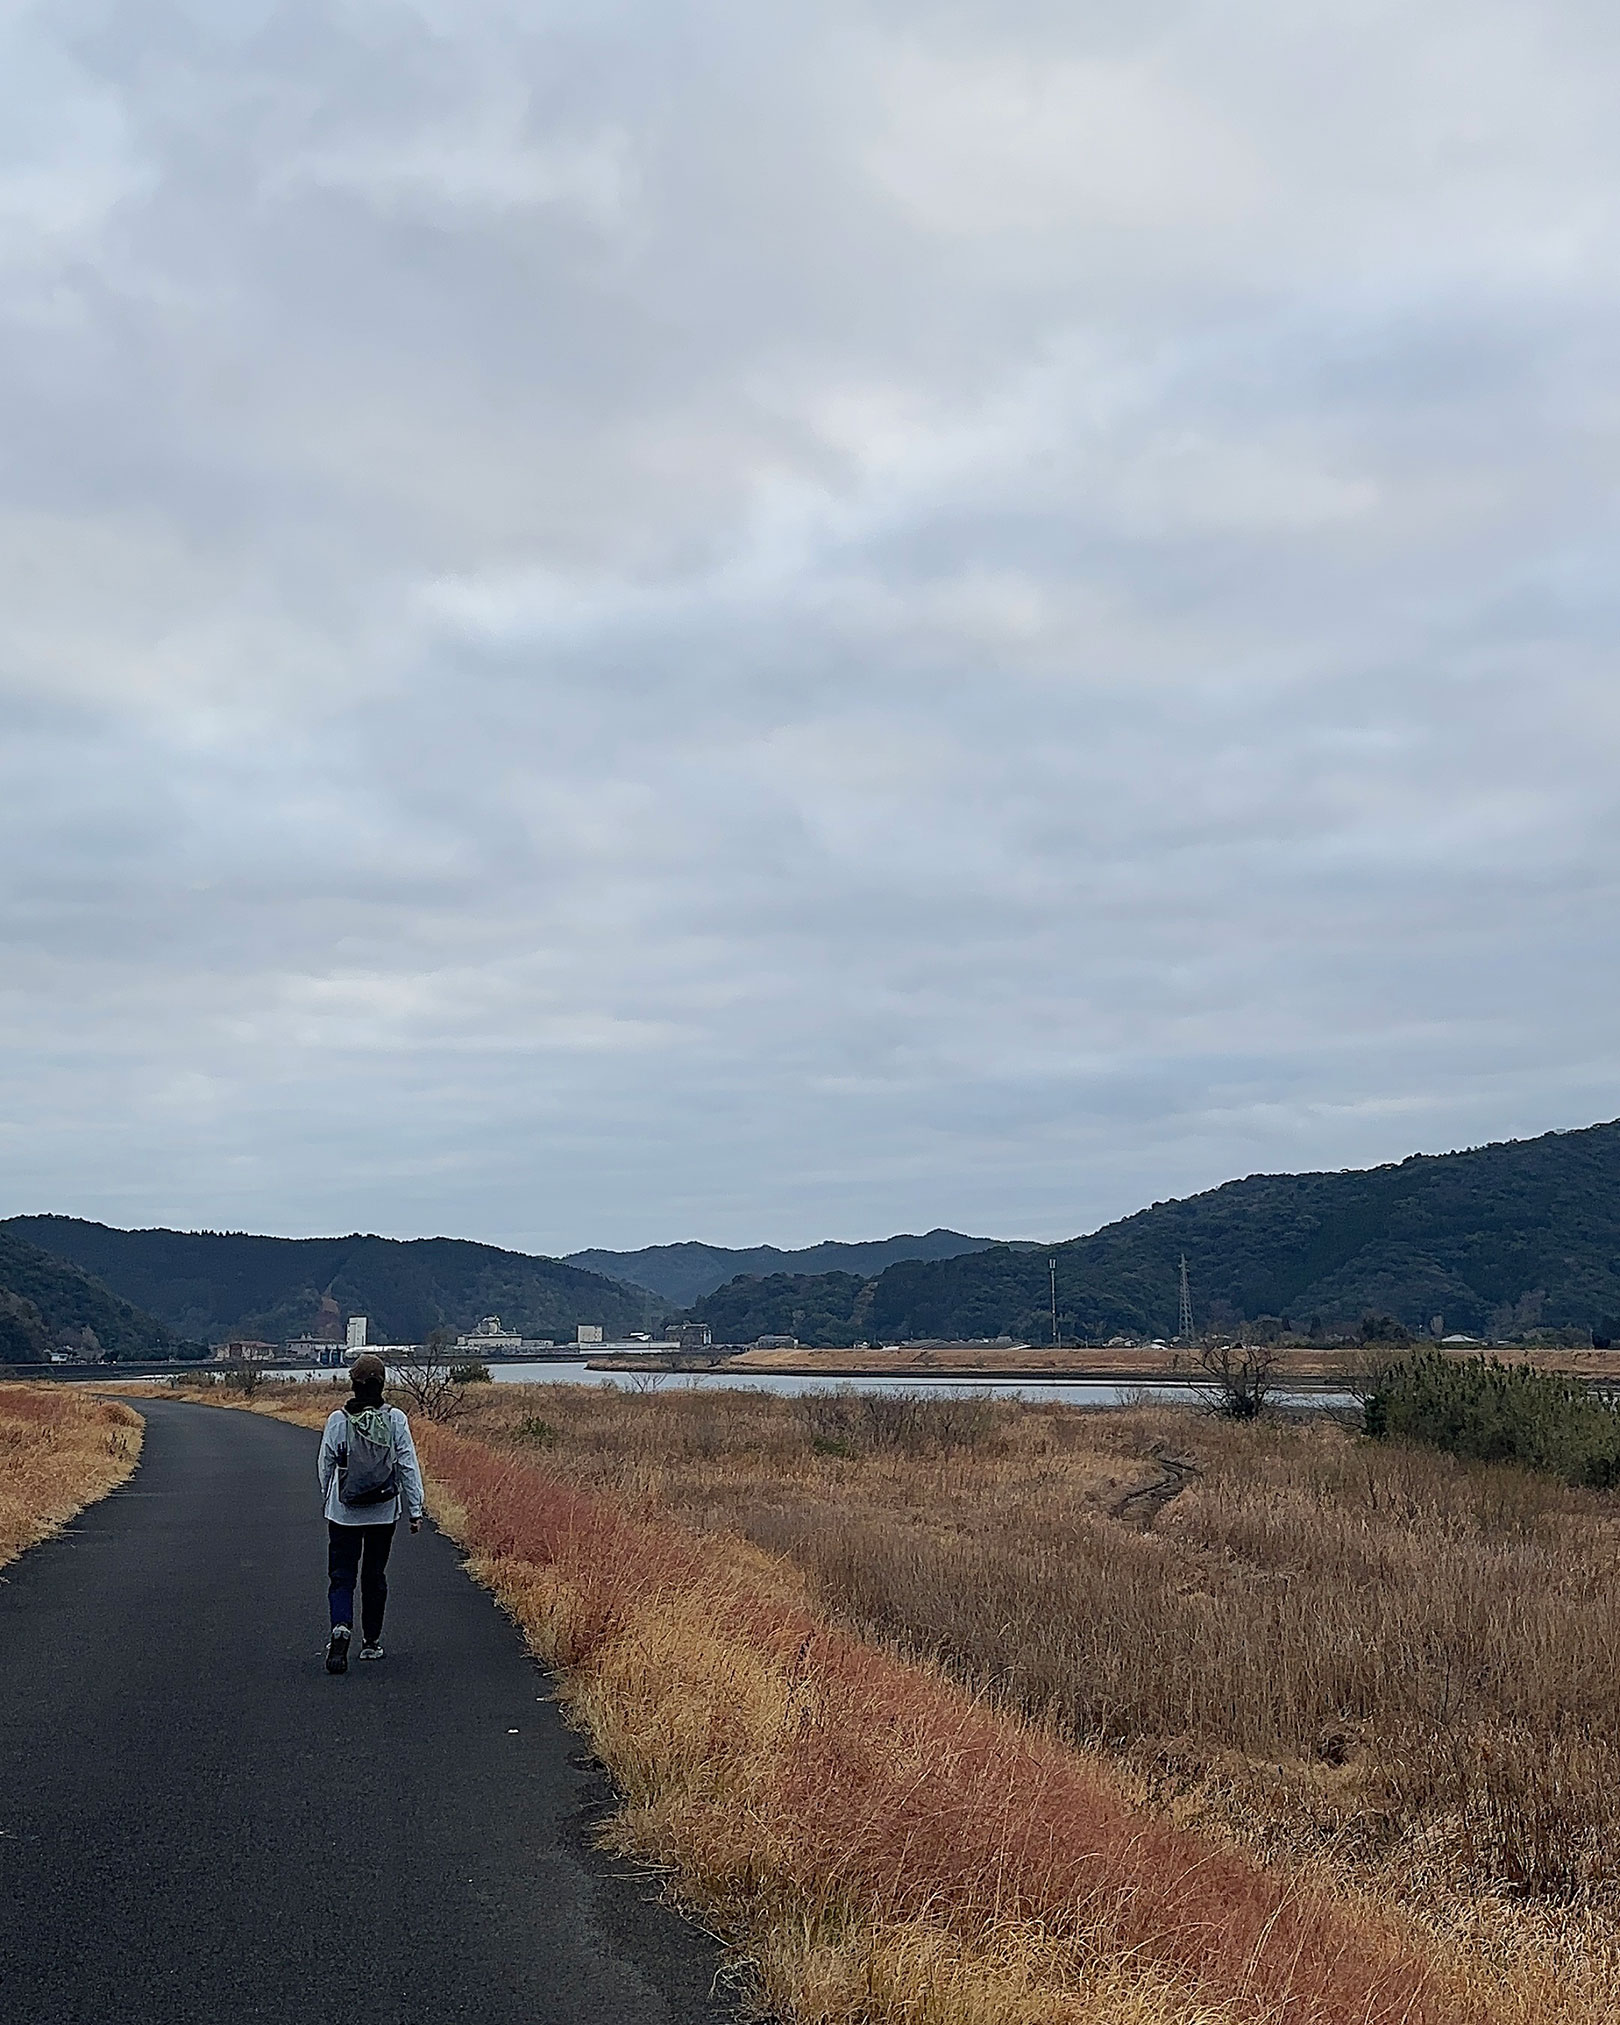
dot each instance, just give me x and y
(831, 1803)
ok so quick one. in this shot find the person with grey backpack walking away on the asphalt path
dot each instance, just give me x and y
(370, 1473)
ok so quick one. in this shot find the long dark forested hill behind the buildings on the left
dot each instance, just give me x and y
(216, 1285)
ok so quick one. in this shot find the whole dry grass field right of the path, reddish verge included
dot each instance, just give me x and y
(973, 1714)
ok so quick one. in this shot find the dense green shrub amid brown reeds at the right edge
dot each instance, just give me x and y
(1491, 1412)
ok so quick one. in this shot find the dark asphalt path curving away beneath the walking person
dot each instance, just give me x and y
(199, 1826)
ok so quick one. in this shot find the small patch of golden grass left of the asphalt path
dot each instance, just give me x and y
(60, 1451)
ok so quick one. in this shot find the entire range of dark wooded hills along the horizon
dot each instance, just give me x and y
(1493, 1240)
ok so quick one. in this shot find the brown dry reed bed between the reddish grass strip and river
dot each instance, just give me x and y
(1386, 1651)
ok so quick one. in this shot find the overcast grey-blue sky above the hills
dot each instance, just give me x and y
(758, 623)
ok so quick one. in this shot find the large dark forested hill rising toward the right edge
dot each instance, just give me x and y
(1497, 1240)
